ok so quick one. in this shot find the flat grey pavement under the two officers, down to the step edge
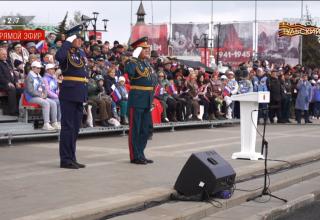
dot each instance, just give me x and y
(32, 183)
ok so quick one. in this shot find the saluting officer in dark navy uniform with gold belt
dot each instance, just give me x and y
(73, 93)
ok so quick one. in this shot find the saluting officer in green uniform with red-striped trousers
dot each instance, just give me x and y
(140, 100)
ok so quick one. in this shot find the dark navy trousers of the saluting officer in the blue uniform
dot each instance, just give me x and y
(71, 116)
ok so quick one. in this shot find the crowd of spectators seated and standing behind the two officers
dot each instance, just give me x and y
(30, 71)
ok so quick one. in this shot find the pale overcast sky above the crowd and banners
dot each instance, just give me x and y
(119, 12)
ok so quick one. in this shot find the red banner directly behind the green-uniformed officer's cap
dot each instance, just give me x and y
(157, 35)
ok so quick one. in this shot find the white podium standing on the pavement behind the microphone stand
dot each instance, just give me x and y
(248, 103)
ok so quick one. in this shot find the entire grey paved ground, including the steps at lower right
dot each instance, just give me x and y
(32, 186)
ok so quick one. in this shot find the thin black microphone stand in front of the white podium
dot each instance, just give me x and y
(265, 190)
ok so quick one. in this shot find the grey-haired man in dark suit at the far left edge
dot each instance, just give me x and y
(8, 82)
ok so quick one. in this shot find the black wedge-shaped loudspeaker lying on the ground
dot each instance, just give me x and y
(205, 171)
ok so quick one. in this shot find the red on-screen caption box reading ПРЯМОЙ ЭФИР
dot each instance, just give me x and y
(24, 35)
